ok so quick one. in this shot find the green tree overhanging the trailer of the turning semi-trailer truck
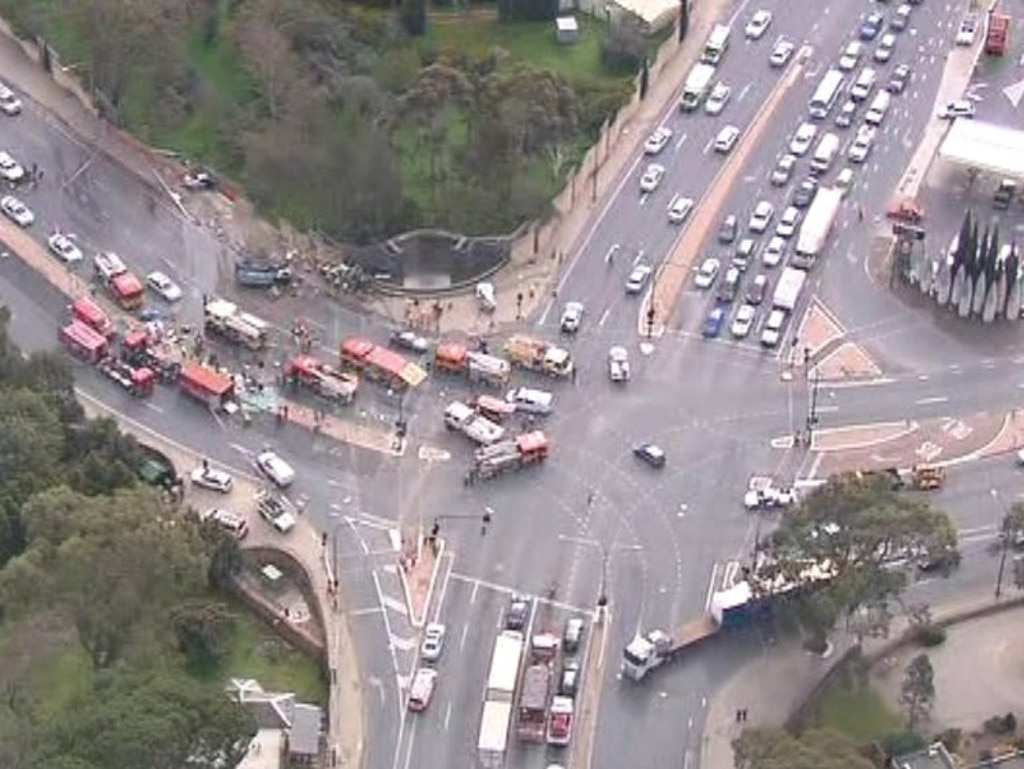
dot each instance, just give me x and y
(855, 526)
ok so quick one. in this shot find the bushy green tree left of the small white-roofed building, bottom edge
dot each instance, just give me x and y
(154, 719)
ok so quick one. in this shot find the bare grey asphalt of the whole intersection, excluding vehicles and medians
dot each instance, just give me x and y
(663, 539)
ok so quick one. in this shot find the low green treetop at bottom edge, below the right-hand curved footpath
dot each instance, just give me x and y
(777, 749)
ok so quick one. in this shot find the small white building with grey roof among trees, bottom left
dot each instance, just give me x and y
(289, 733)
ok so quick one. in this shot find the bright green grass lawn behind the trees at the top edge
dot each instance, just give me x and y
(531, 42)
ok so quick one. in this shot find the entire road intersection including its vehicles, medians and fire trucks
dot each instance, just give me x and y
(585, 477)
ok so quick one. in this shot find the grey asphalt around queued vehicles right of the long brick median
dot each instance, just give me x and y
(874, 180)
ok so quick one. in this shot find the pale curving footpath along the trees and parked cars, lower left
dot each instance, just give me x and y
(346, 707)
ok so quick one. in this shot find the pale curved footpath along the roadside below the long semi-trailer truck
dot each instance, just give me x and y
(774, 687)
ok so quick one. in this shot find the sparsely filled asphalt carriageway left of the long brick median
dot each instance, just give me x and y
(633, 223)
